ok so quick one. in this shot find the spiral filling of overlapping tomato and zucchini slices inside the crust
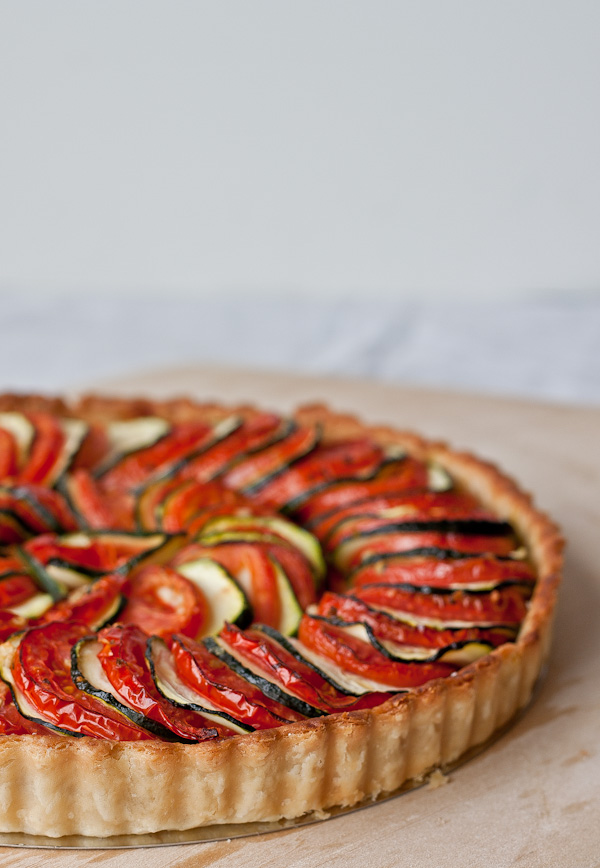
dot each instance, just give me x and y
(197, 580)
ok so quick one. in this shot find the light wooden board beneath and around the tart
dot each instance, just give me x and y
(533, 798)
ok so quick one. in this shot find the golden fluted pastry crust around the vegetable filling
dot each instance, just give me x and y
(56, 787)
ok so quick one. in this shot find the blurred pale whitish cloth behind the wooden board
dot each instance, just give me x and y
(546, 350)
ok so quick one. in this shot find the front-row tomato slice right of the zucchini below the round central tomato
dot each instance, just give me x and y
(216, 682)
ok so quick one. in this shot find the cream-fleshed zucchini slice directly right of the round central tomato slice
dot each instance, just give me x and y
(226, 599)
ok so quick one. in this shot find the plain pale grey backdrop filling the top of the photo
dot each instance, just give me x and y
(334, 148)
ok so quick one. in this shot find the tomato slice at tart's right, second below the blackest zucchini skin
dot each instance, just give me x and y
(439, 568)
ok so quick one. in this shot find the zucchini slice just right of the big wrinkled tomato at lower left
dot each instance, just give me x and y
(88, 676)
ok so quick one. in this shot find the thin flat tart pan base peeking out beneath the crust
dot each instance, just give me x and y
(226, 832)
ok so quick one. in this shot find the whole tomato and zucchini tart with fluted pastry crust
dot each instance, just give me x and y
(213, 615)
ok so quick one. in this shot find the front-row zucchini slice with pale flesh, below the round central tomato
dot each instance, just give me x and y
(170, 685)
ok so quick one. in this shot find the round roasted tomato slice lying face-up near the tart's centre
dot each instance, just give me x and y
(161, 601)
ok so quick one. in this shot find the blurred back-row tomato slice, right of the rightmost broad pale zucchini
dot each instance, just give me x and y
(139, 467)
